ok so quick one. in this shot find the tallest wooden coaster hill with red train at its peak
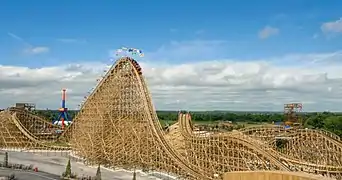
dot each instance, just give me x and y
(118, 126)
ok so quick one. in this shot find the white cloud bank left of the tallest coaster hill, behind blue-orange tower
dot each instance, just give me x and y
(43, 85)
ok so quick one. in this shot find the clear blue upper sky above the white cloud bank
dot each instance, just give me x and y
(101, 26)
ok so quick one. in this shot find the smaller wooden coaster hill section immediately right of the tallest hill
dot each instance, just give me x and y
(224, 152)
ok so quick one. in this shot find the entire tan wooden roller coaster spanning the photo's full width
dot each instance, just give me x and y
(118, 127)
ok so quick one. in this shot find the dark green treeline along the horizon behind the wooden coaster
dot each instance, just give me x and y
(326, 120)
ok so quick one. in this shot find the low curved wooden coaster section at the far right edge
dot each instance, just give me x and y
(309, 150)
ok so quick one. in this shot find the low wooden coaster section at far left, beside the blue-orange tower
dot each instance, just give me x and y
(22, 130)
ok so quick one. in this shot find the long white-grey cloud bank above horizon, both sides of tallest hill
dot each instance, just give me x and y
(213, 84)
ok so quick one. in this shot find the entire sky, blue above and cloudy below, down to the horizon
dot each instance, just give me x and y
(228, 55)
